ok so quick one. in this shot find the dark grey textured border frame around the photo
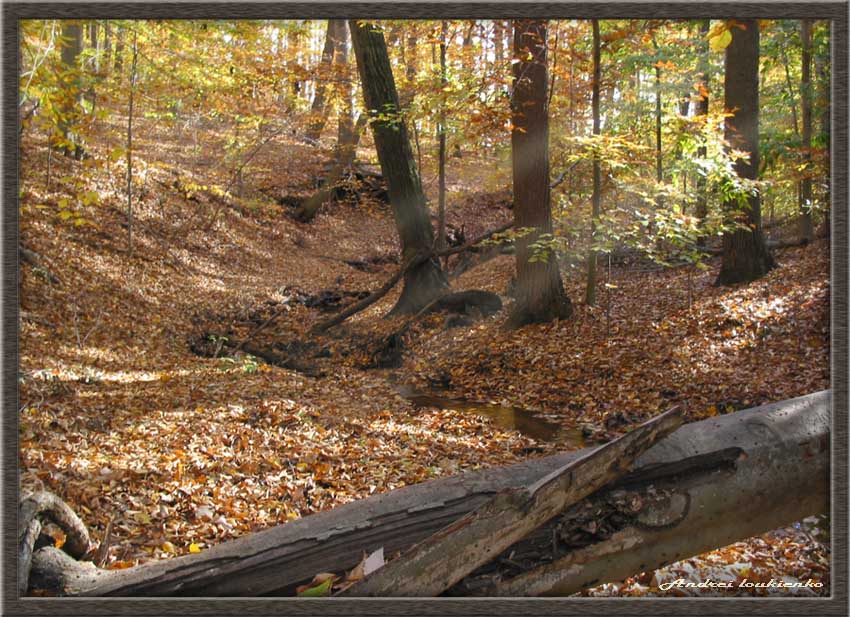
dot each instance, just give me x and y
(836, 604)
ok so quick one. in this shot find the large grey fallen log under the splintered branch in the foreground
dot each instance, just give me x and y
(708, 484)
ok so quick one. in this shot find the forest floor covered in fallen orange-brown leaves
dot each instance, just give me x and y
(122, 419)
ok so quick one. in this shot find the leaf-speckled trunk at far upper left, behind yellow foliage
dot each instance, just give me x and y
(69, 107)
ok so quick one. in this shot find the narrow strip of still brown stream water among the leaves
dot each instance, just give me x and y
(515, 418)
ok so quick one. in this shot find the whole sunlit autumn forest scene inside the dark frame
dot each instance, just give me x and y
(506, 307)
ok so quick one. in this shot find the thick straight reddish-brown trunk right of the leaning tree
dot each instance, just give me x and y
(540, 295)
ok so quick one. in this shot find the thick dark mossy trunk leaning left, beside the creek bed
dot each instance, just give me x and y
(427, 281)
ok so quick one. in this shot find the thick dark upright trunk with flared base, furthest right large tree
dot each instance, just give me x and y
(745, 254)
